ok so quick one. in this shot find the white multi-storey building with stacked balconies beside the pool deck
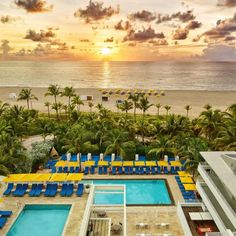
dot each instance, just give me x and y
(217, 188)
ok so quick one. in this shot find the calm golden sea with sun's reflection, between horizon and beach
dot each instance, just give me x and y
(148, 75)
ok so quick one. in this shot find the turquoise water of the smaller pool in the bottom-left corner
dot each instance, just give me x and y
(40, 220)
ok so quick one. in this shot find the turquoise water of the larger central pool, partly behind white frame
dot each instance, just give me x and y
(138, 192)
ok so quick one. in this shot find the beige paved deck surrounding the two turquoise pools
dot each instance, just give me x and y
(135, 214)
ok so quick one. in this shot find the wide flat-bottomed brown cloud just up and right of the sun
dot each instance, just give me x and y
(143, 35)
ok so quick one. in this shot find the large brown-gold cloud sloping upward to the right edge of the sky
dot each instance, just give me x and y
(223, 28)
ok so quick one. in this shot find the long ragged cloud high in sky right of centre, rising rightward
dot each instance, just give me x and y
(181, 16)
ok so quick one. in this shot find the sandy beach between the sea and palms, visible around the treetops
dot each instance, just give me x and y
(176, 99)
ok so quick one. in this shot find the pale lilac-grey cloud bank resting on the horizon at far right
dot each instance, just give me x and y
(219, 53)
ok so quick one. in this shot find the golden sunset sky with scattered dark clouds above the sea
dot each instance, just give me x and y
(119, 30)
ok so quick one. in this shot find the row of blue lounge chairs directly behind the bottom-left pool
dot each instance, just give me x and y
(37, 189)
